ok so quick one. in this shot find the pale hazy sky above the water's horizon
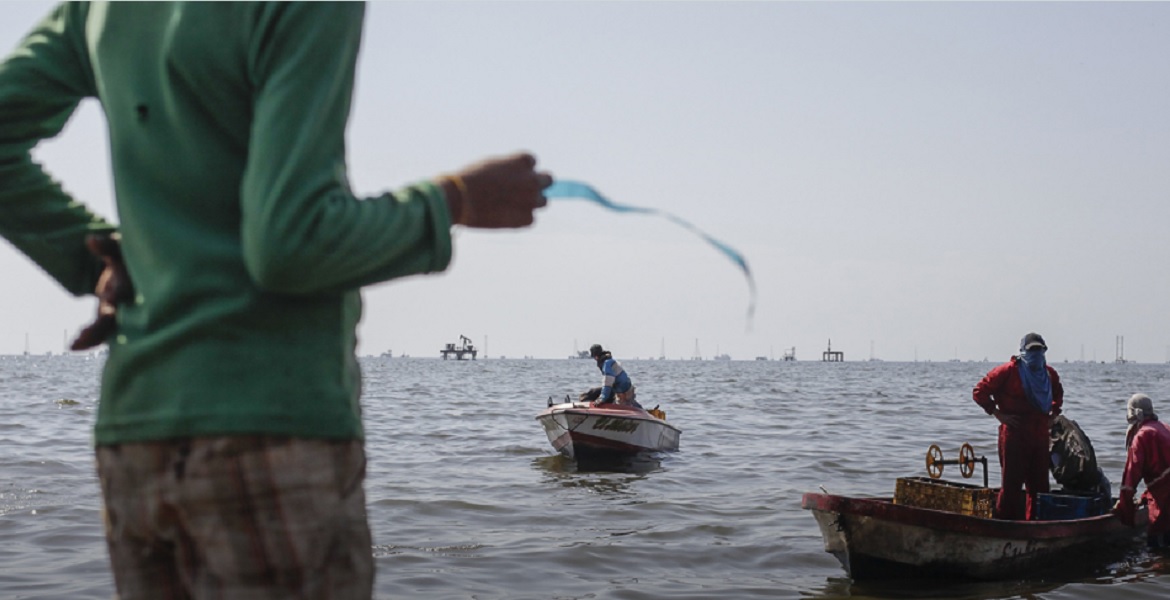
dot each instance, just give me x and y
(916, 181)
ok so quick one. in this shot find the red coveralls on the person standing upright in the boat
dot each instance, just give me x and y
(1024, 450)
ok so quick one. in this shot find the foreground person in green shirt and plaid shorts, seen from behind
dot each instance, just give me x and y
(229, 432)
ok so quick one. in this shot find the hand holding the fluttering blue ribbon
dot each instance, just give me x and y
(497, 194)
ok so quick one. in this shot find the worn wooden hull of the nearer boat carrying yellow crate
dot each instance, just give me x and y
(878, 540)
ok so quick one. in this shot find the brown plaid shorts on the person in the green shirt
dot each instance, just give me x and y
(238, 518)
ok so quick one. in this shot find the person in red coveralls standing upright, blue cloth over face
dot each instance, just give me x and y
(1024, 395)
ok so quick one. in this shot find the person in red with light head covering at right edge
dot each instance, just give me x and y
(1147, 458)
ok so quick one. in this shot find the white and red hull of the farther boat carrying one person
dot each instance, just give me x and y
(582, 431)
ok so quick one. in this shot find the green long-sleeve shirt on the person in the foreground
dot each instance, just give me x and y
(244, 240)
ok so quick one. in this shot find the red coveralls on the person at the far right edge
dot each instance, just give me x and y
(1150, 460)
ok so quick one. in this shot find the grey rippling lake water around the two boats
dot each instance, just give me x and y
(469, 501)
